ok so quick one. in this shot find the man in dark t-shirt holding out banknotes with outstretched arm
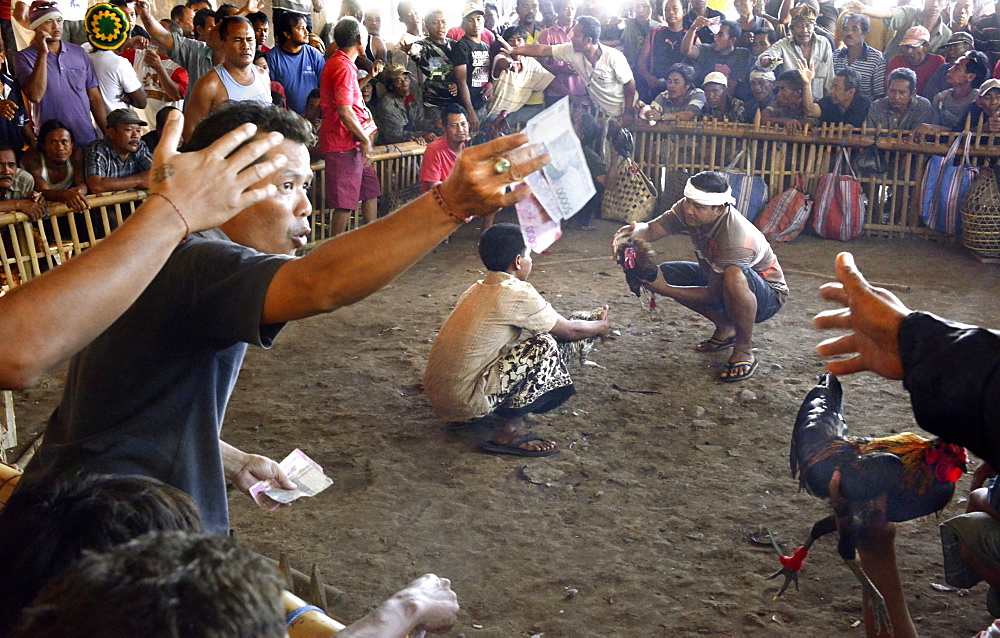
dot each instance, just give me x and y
(149, 395)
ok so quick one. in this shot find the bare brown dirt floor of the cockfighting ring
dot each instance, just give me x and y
(639, 527)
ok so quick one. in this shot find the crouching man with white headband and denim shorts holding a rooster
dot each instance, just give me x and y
(736, 282)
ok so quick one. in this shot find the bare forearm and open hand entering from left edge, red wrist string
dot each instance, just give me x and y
(103, 282)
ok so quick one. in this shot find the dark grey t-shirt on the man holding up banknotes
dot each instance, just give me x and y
(148, 396)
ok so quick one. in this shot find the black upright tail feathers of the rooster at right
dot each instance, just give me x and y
(819, 419)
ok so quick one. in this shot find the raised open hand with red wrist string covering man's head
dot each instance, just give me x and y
(190, 181)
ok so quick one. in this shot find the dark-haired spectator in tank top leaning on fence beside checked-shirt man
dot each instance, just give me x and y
(57, 166)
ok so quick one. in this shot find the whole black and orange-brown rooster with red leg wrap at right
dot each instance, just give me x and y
(892, 479)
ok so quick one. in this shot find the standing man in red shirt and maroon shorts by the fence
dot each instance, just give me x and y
(345, 135)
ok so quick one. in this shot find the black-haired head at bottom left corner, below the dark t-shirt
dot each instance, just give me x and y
(45, 528)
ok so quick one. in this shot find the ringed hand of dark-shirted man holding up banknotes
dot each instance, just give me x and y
(476, 188)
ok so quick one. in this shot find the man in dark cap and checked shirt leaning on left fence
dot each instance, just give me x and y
(120, 161)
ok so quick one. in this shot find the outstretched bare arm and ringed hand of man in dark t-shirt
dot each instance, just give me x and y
(353, 265)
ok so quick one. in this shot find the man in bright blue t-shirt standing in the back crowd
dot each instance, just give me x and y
(293, 63)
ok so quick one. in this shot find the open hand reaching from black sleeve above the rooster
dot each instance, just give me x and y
(873, 314)
